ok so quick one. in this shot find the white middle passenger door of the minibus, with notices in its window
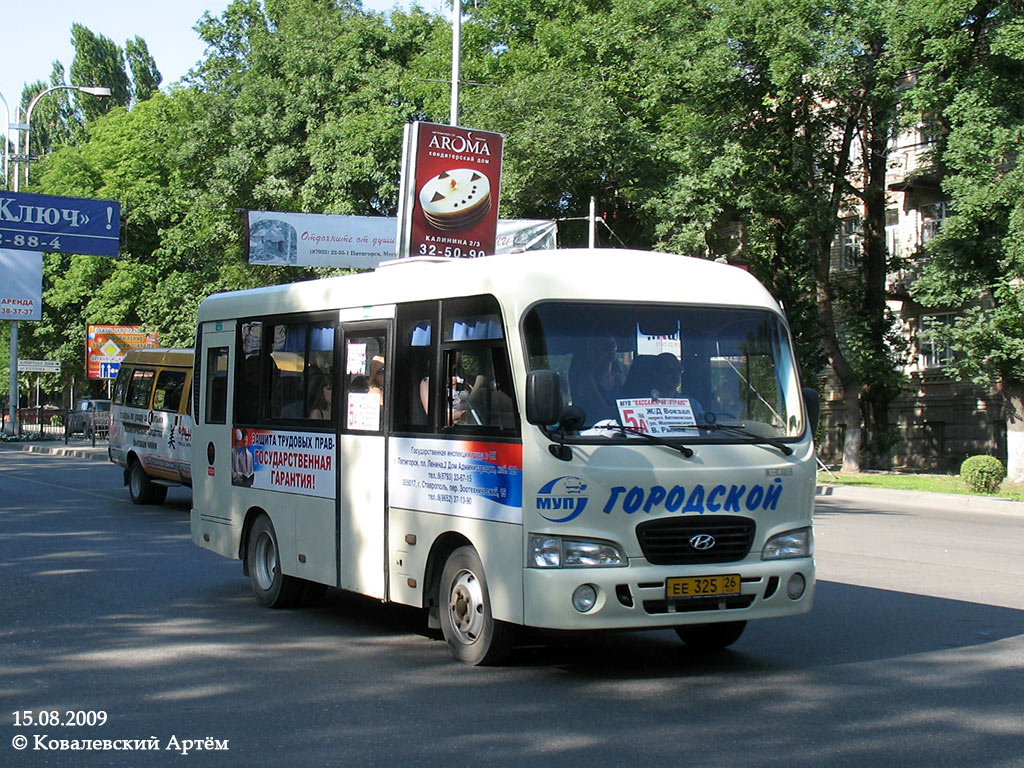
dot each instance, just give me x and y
(362, 457)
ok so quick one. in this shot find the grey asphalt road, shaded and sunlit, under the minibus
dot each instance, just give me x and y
(914, 655)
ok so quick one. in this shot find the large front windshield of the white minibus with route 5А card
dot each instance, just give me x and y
(688, 372)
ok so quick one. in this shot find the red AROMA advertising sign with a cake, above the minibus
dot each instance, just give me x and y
(450, 196)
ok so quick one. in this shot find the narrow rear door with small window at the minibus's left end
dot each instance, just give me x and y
(212, 454)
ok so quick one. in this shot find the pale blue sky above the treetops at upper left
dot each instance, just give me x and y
(38, 32)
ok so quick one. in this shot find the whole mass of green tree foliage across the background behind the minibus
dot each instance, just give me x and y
(711, 130)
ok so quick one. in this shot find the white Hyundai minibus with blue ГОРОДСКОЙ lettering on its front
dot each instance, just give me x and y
(594, 440)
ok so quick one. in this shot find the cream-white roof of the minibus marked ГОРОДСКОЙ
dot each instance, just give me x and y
(519, 280)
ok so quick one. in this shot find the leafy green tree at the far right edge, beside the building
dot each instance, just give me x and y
(976, 263)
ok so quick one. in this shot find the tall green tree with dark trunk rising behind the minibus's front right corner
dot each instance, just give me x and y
(782, 133)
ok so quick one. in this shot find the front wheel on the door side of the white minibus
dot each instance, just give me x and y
(472, 632)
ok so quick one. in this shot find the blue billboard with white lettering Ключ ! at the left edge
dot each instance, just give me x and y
(47, 223)
